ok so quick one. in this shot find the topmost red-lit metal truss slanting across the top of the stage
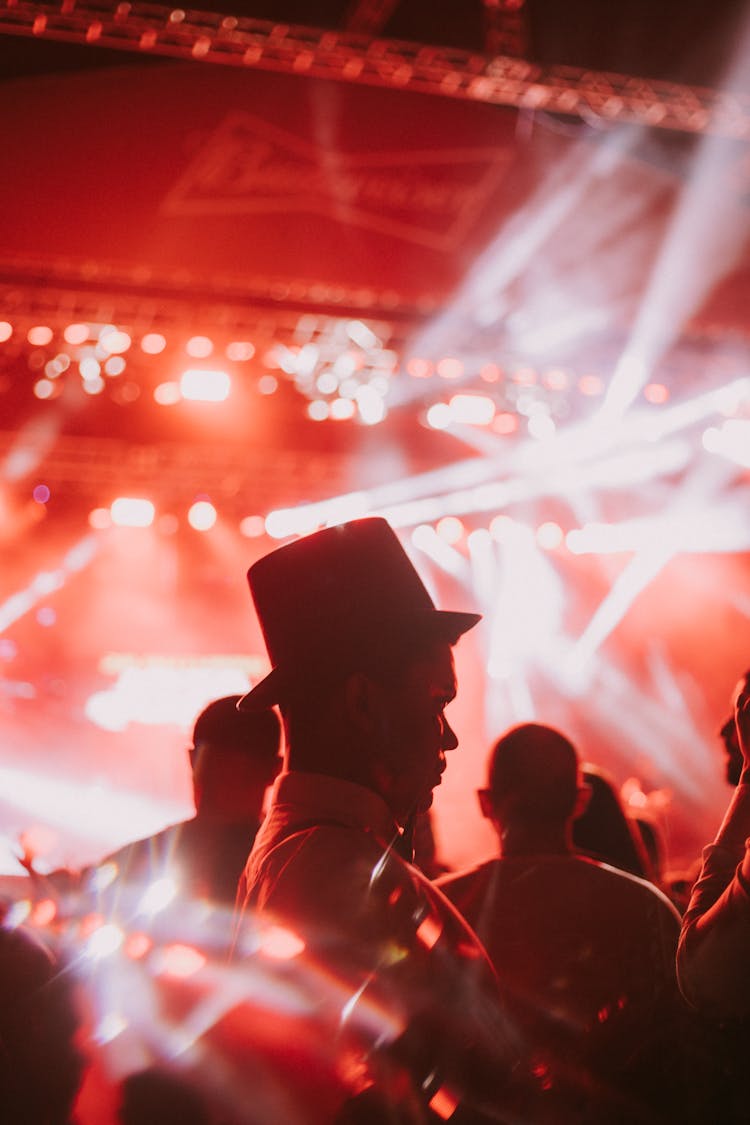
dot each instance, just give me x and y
(237, 41)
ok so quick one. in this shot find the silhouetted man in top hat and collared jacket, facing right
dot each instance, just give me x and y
(363, 671)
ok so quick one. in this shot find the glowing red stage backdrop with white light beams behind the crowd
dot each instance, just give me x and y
(523, 337)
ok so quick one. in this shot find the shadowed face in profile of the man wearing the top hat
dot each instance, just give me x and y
(417, 734)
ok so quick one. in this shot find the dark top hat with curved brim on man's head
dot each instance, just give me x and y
(335, 593)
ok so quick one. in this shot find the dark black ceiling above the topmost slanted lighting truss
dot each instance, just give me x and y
(679, 41)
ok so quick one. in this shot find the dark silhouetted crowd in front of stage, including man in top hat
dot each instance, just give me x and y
(297, 953)
